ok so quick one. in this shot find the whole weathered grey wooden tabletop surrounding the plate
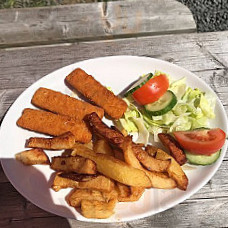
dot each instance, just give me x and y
(204, 54)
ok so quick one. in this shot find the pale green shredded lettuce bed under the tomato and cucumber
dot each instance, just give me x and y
(193, 110)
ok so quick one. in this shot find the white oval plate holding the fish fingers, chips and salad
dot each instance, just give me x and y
(118, 72)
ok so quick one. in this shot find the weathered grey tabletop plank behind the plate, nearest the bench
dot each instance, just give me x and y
(196, 52)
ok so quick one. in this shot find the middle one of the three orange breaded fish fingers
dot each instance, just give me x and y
(63, 104)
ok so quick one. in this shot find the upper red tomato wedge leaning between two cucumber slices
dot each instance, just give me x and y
(152, 90)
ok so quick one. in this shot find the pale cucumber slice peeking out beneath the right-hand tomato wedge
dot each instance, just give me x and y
(196, 159)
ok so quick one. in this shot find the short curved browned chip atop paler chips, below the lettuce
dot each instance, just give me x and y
(151, 163)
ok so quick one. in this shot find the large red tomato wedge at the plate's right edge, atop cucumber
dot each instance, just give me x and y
(205, 142)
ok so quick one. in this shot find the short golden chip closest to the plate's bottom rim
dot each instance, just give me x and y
(98, 209)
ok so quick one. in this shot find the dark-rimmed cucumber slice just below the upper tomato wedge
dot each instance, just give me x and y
(164, 104)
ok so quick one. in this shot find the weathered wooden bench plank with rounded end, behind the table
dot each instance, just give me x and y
(93, 21)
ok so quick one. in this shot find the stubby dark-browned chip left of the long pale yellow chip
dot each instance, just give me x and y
(73, 164)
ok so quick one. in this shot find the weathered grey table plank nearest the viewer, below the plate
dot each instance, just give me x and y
(183, 215)
